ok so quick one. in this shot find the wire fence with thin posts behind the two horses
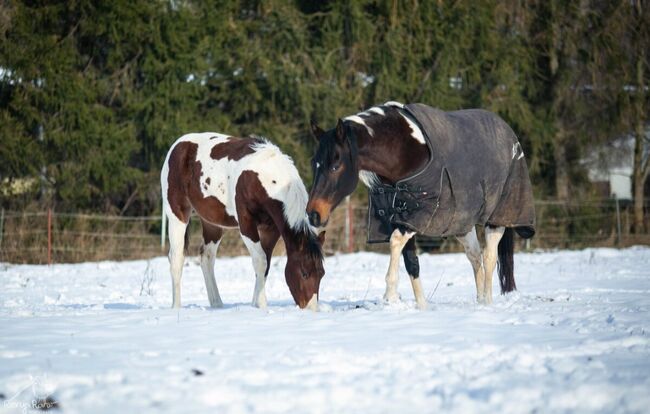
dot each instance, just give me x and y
(62, 237)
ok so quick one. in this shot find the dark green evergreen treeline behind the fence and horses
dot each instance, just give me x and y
(92, 93)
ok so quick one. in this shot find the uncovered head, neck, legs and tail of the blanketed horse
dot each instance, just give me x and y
(384, 145)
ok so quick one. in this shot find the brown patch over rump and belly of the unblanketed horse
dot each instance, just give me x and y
(184, 192)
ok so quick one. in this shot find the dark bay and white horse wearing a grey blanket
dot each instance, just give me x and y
(429, 172)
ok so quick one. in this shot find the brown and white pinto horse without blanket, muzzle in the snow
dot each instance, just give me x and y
(244, 183)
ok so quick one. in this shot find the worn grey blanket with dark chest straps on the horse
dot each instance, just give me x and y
(476, 174)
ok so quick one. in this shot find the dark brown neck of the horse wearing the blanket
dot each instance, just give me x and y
(390, 157)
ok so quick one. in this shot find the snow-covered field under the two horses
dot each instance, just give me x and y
(100, 337)
